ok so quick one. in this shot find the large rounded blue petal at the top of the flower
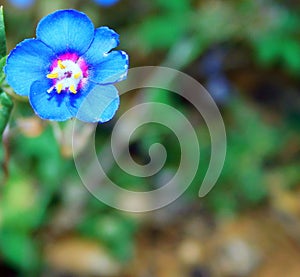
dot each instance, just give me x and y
(66, 31)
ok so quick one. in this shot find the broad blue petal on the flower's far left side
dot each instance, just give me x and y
(27, 63)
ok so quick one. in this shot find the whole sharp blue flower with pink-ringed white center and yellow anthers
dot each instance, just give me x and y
(67, 61)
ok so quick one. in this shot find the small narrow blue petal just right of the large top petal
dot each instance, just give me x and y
(105, 39)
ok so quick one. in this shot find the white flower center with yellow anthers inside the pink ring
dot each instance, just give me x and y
(66, 76)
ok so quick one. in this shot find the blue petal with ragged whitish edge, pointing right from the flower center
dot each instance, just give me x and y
(110, 69)
